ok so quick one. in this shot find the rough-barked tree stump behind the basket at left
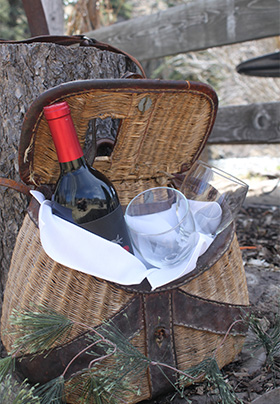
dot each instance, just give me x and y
(27, 70)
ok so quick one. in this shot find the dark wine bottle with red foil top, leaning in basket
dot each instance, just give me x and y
(83, 195)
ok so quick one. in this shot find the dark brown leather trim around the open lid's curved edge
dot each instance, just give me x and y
(111, 86)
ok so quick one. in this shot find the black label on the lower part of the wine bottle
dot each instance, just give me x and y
(112, 227)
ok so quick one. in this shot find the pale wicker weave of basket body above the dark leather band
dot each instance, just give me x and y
(35, 278)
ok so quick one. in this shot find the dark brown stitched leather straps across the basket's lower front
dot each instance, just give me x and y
(156, 314)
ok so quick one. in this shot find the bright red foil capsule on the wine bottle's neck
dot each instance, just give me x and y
(63, 132)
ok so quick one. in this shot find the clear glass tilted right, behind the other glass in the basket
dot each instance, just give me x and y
(214, 195)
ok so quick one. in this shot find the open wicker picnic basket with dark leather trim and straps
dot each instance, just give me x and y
(164, 127)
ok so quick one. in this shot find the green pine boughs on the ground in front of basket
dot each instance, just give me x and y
(41, 327)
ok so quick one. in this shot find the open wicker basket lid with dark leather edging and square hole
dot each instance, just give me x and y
(164, 125)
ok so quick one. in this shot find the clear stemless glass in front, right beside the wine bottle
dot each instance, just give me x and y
(160, 224)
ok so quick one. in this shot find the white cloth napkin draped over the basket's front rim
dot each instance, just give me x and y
(76, 248)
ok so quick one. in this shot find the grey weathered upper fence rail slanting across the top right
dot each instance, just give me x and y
(199, 24)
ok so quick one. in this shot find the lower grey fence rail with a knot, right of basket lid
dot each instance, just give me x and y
(254, 123)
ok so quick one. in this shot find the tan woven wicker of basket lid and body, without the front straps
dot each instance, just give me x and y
(164, 125)
